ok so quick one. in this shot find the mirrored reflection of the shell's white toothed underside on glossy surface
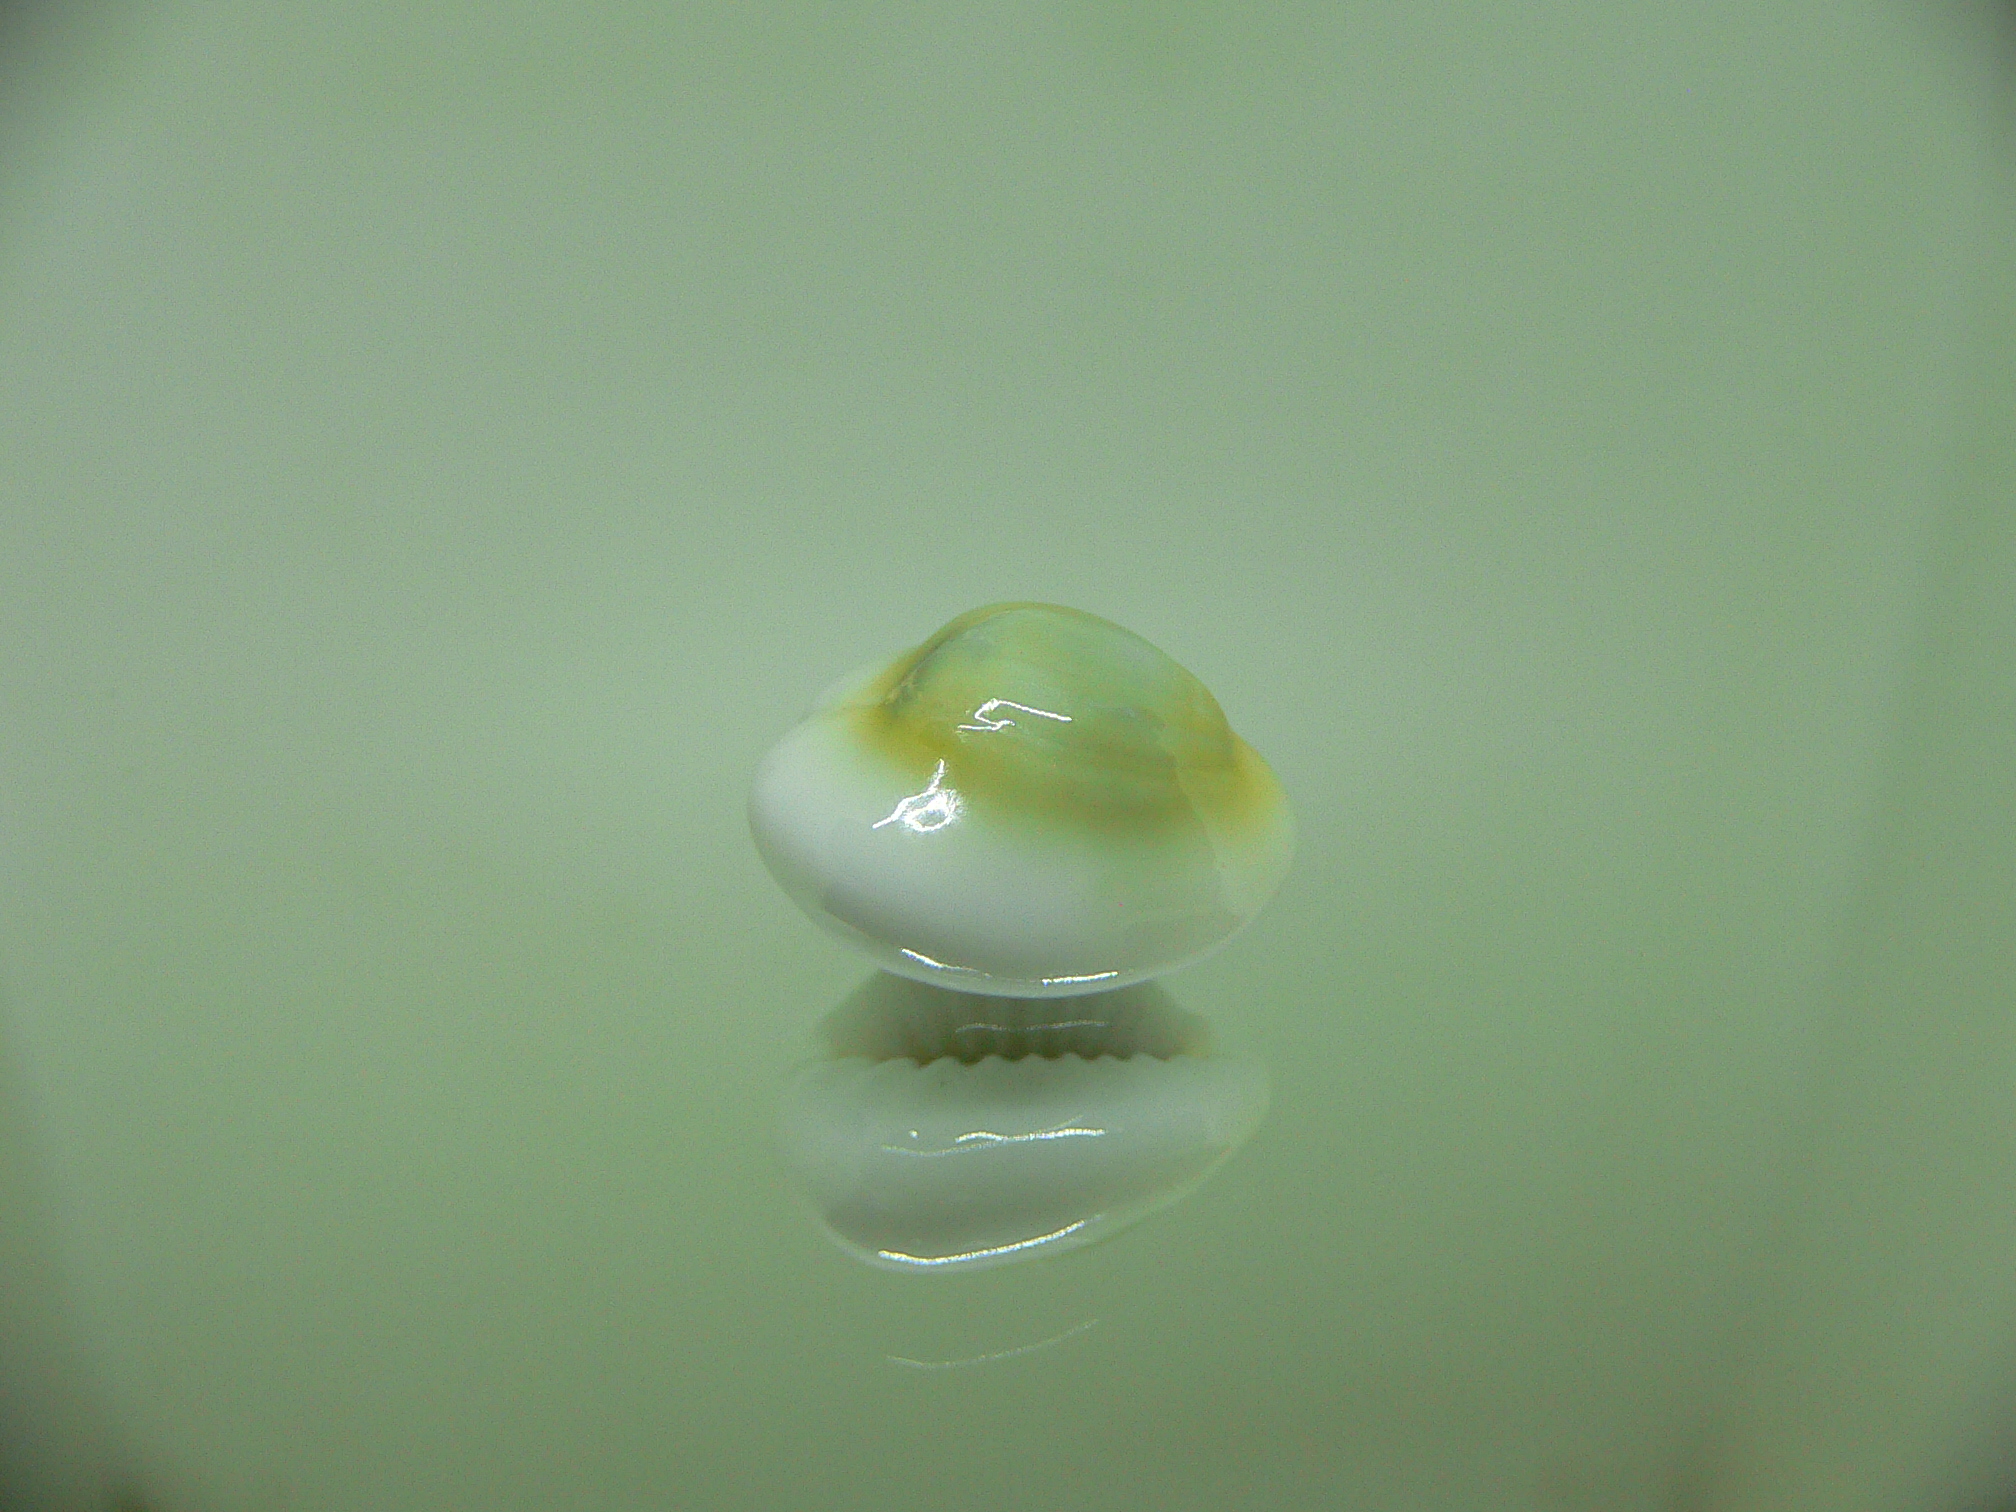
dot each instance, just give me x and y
(955, 1132)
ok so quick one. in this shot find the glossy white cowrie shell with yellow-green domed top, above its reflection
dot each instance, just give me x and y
(1031, 803)
